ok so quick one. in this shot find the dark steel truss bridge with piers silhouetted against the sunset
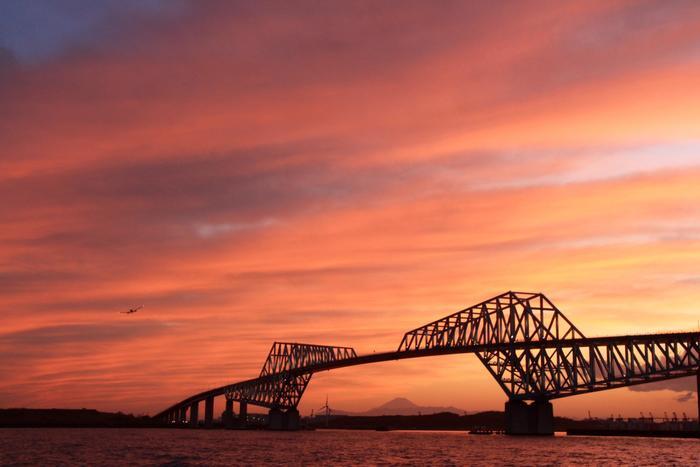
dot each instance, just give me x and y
(525, 342)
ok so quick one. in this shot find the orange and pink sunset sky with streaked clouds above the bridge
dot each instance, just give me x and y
(336, 173)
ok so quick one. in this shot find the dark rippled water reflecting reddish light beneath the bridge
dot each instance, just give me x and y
(57, 446)
